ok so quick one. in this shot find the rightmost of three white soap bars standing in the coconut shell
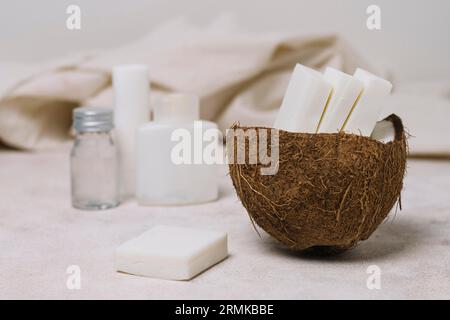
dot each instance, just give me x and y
(367, 110)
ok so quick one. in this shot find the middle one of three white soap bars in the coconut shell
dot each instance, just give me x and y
(346, 90)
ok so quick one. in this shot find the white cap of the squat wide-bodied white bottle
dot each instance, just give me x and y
(176, 108)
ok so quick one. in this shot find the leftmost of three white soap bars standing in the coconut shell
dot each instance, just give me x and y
(305, 99)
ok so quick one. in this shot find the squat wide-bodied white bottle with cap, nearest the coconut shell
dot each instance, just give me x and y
(172, 167)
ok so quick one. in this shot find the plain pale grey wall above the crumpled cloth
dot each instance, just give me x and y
(414, 41)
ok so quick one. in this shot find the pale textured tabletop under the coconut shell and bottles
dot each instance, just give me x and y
(41, 235)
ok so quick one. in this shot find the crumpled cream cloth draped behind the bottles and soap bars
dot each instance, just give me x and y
(239, 76)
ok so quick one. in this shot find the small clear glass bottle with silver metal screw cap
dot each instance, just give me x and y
(94, 160)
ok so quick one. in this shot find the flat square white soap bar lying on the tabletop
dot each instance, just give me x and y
(173, 253)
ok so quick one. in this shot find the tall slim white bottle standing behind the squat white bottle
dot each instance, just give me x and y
(131, 110)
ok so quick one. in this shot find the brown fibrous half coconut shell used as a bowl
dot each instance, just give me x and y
(330, 191)
